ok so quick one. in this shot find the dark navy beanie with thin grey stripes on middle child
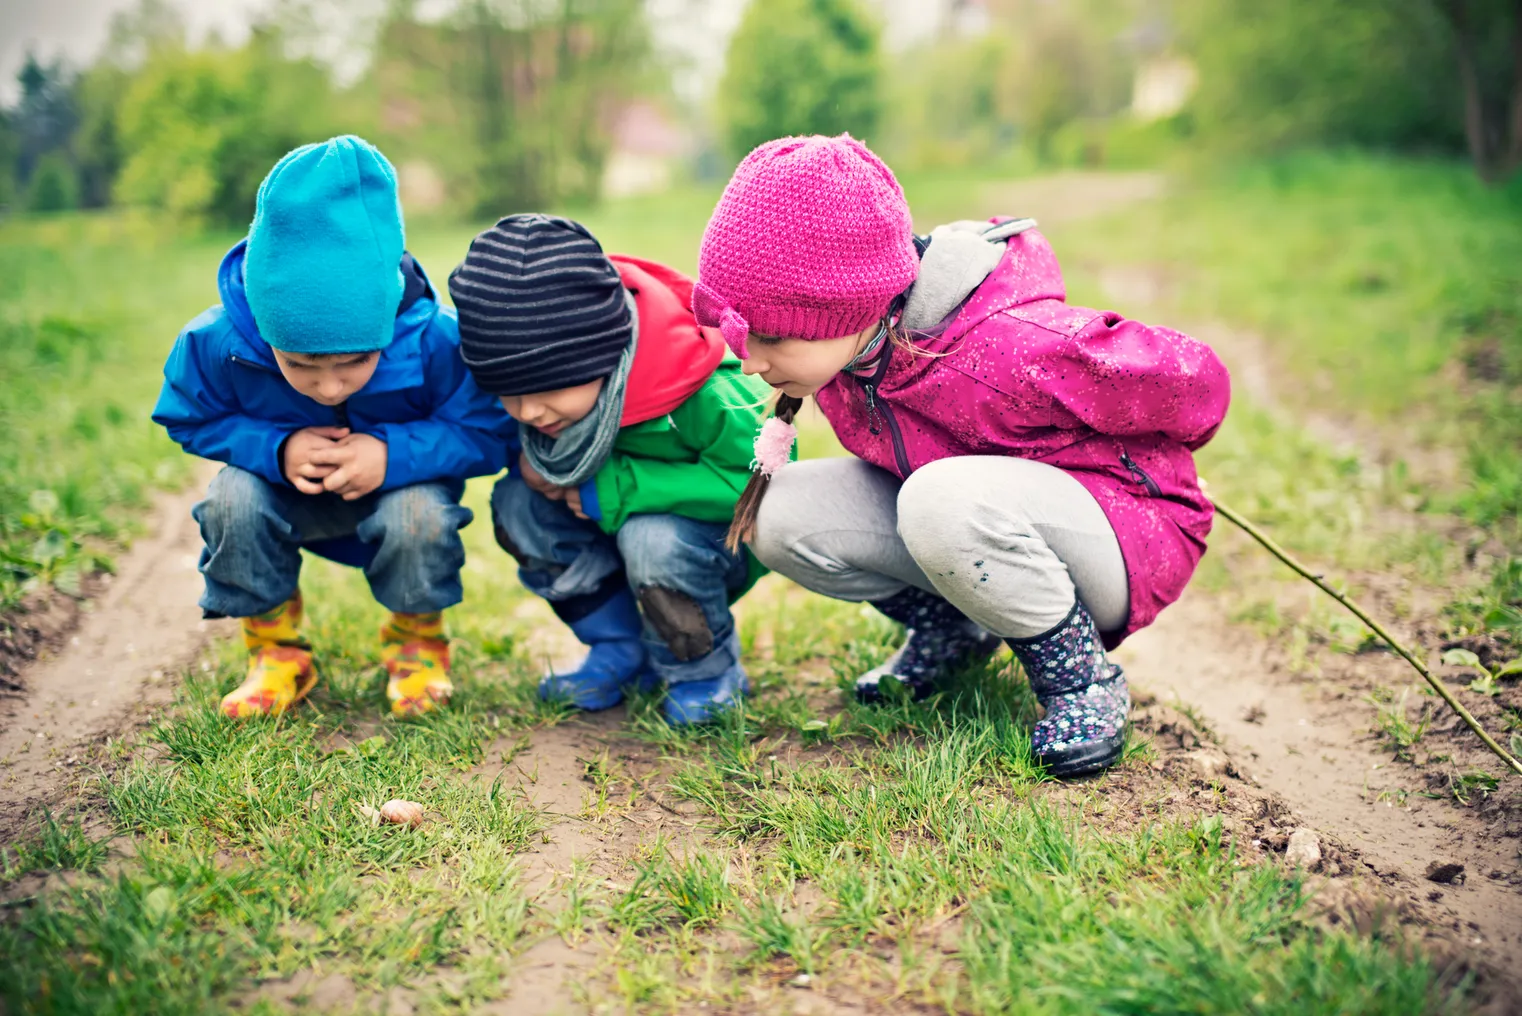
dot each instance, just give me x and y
(541, 306)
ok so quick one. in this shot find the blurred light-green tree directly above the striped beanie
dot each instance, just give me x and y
(514, 98)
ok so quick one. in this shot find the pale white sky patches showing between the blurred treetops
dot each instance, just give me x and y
(692, 30)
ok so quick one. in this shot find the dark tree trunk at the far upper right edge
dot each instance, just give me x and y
(1488, 49)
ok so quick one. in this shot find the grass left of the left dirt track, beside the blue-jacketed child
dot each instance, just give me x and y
(88, 311)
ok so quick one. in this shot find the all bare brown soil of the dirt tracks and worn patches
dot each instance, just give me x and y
(1237, 729)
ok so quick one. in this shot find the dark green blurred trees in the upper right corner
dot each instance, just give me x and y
(1431, 75)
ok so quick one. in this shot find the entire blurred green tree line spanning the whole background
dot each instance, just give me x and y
(512, 103)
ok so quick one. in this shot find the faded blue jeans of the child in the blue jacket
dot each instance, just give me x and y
(407, 541)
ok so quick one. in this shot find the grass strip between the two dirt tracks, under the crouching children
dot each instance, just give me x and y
(905, 852)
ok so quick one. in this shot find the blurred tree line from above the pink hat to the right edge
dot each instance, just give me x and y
(1057, 78)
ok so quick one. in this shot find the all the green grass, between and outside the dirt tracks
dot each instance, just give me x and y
(909, 852)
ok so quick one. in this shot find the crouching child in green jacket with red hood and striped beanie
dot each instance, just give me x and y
(638, 430)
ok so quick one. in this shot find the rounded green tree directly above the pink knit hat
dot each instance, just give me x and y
(801, 68)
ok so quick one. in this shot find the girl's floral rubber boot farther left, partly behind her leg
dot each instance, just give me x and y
(941, 640)
